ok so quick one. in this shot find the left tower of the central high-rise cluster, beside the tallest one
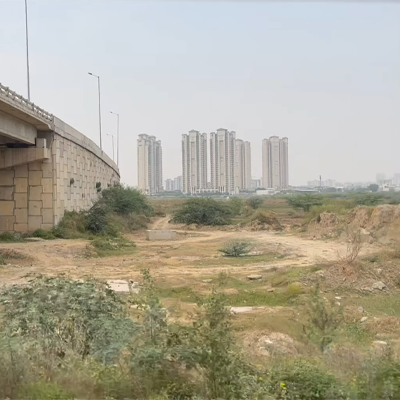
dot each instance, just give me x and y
(194, 162)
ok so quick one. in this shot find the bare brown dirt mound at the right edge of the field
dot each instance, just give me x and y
(381, 223)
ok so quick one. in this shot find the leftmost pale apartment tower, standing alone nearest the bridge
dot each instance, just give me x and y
(149, 164)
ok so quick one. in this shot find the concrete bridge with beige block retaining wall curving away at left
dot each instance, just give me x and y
(46, 167)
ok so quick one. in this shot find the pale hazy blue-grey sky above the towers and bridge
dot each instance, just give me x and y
(325, 75)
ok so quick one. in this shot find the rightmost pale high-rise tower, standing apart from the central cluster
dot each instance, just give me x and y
(275, 163)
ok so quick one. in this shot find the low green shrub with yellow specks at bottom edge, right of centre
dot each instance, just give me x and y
(300, 380)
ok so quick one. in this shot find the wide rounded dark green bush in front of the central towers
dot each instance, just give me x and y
(203, 212)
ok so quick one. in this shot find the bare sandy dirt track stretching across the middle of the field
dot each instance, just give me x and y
(68, 256)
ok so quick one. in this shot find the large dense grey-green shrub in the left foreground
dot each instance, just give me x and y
(62, 315)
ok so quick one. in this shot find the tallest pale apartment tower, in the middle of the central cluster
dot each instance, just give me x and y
(222, 157)
